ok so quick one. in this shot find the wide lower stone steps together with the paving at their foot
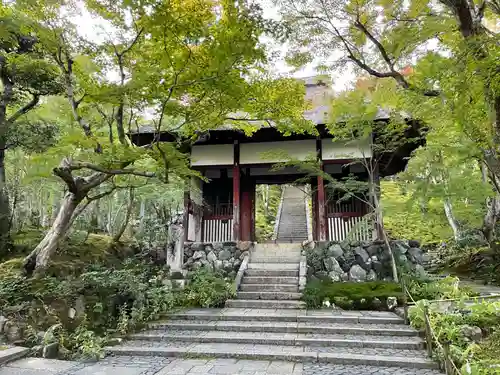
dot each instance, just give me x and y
(233, 341)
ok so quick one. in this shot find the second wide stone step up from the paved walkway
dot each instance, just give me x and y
(287, 339)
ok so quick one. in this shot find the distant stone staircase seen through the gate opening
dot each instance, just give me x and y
(292, 226)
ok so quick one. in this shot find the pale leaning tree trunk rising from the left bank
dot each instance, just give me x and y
(39, 258)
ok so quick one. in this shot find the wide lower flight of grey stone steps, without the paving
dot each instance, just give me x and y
(347, 338)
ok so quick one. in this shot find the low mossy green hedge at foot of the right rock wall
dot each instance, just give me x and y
(350, 295)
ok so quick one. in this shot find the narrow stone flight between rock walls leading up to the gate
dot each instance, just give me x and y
(271, 279)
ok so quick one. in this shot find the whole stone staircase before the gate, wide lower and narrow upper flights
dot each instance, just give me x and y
(268, 322)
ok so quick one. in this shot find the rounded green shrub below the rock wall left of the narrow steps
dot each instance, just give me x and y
(208, 289)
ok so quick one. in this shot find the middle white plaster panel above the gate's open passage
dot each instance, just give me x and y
(262, 152)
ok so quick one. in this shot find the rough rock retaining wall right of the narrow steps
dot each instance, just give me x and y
(362, 261)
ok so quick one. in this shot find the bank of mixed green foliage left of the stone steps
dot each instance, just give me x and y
(113, 294)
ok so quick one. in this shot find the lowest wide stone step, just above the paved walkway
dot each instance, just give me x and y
(347, 356)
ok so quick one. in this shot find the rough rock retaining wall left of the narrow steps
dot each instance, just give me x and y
(222, 256)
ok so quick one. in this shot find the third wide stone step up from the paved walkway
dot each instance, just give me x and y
(289, 327)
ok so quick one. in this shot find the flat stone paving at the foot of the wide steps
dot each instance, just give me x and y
(178, 366)
